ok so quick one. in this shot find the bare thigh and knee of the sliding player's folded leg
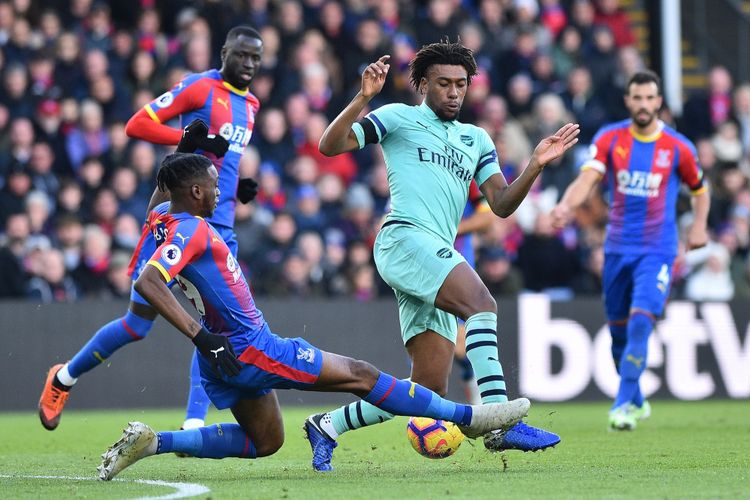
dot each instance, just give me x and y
(261, 420)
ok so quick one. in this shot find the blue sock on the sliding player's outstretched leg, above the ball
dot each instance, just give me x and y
(403, 397)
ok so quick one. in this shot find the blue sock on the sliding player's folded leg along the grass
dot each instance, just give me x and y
(215, 441)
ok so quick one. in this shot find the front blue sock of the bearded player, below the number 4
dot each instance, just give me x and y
(633, 361)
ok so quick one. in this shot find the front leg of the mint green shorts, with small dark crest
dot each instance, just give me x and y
(414, 261)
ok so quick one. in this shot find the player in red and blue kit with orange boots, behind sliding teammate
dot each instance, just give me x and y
(221, 99)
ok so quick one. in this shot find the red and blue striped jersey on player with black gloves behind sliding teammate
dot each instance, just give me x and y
(228, 111)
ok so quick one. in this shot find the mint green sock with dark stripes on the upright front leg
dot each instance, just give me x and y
(481, 349)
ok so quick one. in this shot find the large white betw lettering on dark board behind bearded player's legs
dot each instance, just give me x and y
(696, 351)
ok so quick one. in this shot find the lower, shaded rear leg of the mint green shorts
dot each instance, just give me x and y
(416, 317)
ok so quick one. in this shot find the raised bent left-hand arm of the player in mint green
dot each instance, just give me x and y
(339, 137)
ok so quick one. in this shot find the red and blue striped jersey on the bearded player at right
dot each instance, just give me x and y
(643, 176)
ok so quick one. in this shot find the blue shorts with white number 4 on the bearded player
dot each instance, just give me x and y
(636, 282)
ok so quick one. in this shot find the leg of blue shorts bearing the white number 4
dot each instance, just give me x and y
(652, 277)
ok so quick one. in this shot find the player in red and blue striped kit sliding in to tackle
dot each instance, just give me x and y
(192, 252)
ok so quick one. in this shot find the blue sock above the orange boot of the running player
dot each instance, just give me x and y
(107, 340)
